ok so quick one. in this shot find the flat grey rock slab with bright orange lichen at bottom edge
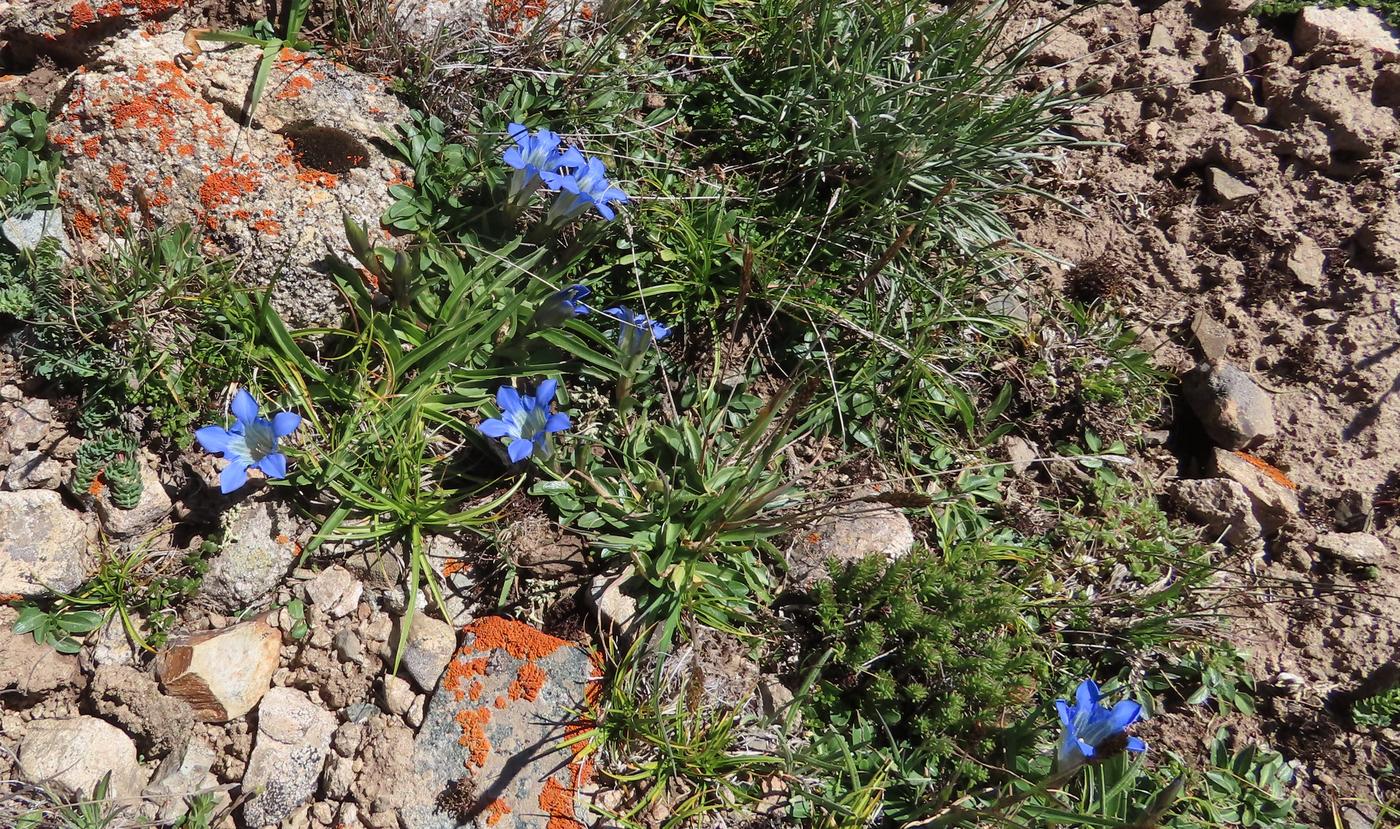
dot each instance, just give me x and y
(491, 750)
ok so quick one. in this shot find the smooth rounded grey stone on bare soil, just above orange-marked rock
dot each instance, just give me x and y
(1235, 412)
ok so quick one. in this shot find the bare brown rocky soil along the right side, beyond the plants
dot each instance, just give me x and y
(1248, 216)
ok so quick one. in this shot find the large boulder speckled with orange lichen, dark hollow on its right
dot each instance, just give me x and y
(152, 137)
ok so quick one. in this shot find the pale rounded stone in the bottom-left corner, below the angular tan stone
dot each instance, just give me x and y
(78, 753)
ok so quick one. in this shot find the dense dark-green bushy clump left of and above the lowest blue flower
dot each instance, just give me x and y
(933, 652)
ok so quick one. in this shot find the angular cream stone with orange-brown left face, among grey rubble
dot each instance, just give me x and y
(222, 674)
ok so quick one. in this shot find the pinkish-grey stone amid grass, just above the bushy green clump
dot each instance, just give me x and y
(850, 533)
